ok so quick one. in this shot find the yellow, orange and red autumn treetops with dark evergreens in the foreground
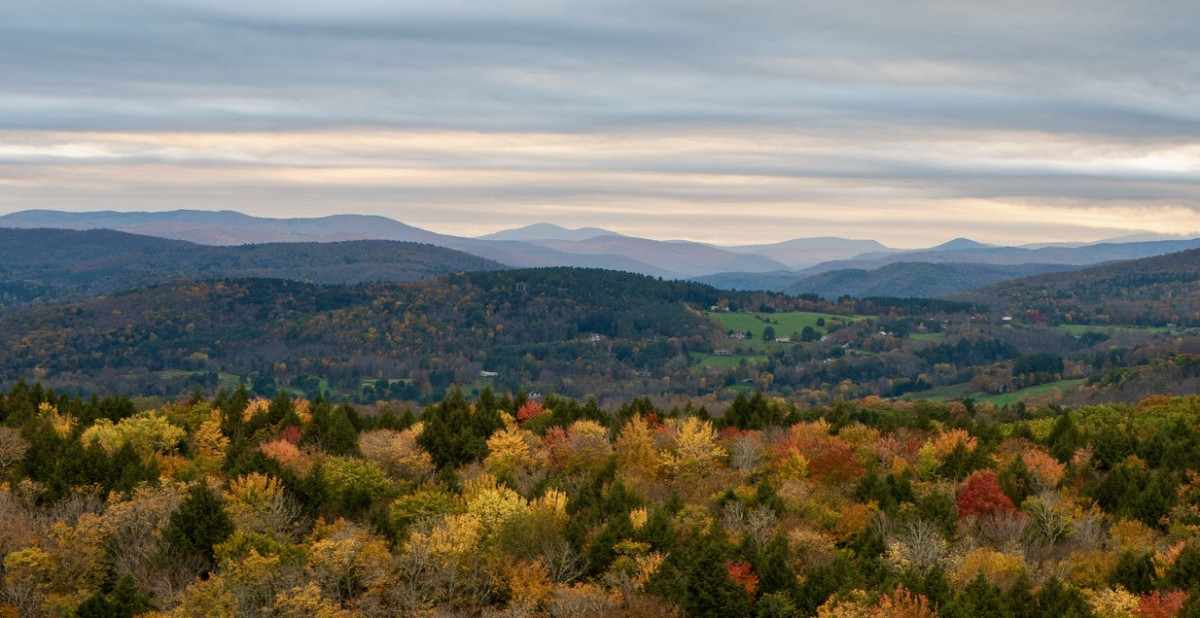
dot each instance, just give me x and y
(511, 506)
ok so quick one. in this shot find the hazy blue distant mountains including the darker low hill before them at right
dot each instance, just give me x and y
(830, 267)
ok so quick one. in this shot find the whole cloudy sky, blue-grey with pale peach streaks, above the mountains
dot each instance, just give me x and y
(908, 122)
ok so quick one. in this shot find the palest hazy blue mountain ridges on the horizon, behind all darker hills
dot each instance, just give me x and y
(547, 245)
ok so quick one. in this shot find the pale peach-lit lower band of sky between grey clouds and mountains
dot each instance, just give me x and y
(905, 188)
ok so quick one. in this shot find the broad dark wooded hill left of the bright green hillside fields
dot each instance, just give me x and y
(530, 327)
